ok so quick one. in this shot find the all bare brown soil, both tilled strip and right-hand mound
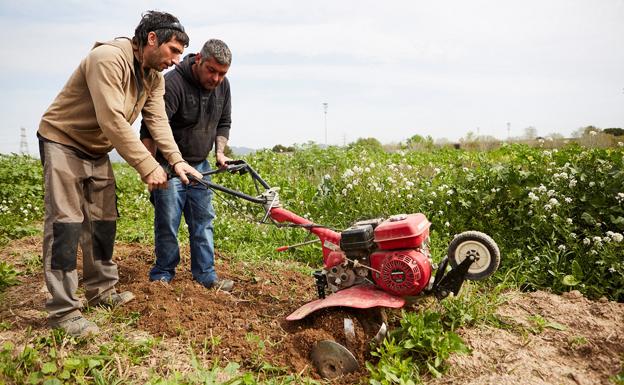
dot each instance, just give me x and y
(580, 341)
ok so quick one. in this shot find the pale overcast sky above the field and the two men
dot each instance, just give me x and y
(386, 69)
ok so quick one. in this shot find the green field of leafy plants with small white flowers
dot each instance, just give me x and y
(556, 214)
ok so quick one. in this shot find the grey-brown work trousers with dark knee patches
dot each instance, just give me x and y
(80, 208)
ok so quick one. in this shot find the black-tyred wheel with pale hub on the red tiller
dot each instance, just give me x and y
(479, 245)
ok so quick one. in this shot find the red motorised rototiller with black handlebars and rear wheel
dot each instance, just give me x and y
(374, 263)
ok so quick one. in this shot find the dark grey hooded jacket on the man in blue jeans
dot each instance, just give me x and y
(196, 115)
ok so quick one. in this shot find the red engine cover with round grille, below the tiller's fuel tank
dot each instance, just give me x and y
(401, 272)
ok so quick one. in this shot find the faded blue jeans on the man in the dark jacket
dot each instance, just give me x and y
(194, 200)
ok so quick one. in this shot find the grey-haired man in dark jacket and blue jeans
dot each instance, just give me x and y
(198, 104)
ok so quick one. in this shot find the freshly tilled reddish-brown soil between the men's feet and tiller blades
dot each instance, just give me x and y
(247, 325)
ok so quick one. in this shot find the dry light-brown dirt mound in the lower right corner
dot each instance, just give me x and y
(551, 339)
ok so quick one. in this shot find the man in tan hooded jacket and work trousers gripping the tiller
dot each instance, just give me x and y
(91, 115)
